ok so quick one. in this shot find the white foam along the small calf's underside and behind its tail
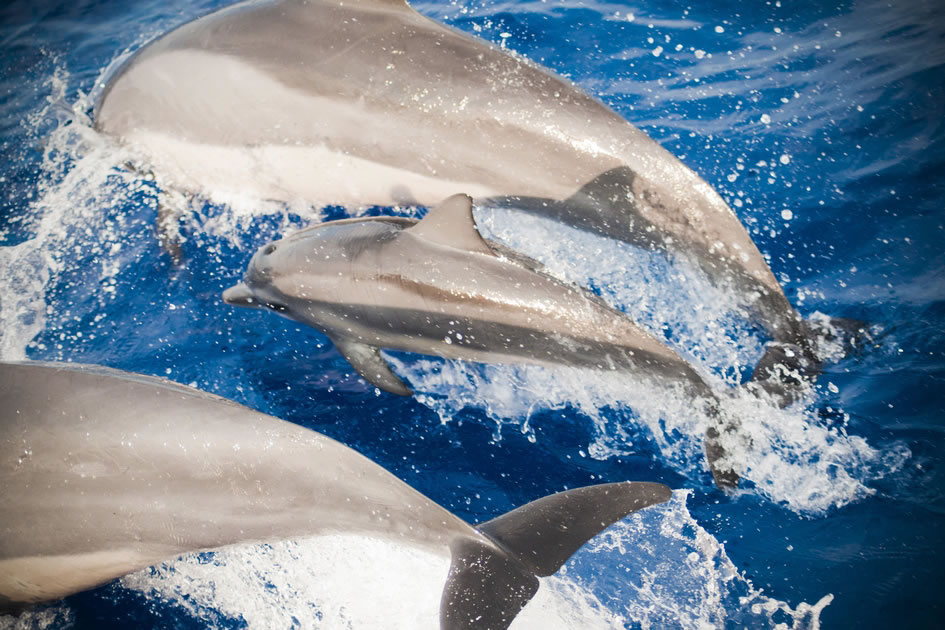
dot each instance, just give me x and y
(787, 454)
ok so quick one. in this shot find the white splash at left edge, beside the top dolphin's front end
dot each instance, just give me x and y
(79, 177)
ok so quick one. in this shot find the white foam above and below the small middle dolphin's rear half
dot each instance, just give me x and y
(789, 455)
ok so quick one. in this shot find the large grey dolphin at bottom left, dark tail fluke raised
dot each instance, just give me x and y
(104, 472)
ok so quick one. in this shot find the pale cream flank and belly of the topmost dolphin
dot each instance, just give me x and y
(271, 162)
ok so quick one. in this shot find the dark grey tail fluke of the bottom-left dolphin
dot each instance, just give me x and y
(489, 585)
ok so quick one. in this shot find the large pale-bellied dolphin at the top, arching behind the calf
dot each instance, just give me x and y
(367, 102)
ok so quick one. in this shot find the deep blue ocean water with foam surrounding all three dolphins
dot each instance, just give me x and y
(820, 123)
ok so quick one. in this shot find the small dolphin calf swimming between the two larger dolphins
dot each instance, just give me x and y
(437, 287)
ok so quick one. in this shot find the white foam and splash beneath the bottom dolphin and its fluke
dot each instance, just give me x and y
(655, 569)
